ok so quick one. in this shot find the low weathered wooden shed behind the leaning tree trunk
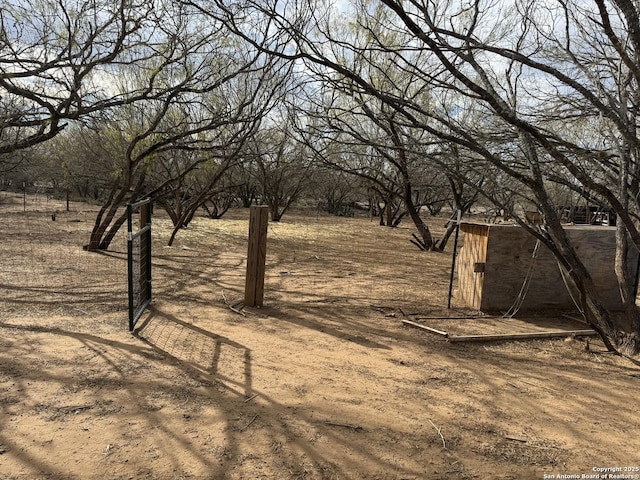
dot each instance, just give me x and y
(495, 260)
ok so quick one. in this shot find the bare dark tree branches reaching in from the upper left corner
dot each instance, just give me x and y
(63, 63)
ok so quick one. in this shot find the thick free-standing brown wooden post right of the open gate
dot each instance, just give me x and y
(256, 255)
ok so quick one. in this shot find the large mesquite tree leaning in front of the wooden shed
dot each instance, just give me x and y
(538, 92)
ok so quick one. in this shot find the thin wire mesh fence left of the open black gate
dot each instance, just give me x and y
(44, 270)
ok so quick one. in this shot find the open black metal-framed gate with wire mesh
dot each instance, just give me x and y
(139, 259)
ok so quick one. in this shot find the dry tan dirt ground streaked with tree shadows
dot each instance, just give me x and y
(324, 382)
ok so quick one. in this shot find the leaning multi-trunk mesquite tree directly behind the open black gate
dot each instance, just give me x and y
(216, 93)
